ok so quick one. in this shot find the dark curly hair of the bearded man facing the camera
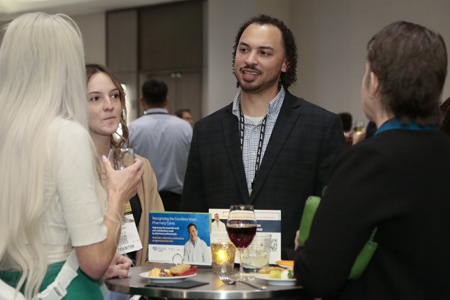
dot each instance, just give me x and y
(290, 48)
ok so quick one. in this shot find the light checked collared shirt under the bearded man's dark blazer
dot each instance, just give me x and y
(252, 133)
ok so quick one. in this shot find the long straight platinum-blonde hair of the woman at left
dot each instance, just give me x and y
(42, 83)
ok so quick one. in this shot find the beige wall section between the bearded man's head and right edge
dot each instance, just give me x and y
(332, 38)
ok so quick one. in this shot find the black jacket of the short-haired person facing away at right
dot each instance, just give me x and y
(396, 181)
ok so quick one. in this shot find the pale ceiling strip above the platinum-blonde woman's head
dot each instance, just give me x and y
(9, 9)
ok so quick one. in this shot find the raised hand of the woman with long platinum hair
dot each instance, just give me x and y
(123, 184)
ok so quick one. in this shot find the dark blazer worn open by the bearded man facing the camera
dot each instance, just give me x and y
(296, 164)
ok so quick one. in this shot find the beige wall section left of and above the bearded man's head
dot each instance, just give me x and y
(223, 21)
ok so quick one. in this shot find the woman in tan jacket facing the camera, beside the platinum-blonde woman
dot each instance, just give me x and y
(106, 100)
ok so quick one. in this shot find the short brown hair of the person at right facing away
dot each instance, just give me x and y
(410, 62)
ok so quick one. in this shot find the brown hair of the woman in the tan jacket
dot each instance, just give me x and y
(122, 140)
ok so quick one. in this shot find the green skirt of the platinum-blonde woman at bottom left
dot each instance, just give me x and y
(81, 287)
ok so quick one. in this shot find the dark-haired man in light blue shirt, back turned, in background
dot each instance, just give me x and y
(164, 140)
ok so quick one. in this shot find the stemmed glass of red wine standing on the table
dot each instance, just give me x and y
(241, 228)
